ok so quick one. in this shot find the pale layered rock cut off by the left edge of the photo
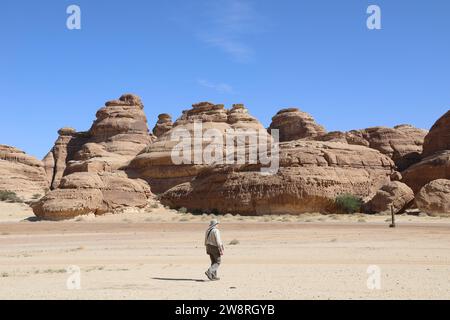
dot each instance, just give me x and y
(21, 173)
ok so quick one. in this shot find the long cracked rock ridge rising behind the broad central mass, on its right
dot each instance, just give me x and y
(403, 143)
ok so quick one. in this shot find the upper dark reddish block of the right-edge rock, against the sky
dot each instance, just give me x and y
(438, 139)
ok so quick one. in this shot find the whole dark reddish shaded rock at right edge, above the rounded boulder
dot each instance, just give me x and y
(435, 163)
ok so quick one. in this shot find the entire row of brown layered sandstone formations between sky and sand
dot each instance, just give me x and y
(100, 170)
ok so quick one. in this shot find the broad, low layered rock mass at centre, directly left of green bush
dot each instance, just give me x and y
(311, 175)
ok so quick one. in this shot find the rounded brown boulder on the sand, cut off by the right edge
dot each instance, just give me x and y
(434, 198)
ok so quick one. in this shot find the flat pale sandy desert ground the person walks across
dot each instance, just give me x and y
(159, 254)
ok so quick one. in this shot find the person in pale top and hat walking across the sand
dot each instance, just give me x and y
(214, 248)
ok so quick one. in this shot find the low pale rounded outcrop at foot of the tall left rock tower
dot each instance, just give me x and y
(92, 193)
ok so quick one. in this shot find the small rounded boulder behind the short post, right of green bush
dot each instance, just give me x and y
(395, 195)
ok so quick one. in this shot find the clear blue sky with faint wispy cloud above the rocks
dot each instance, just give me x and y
(317, 55)
